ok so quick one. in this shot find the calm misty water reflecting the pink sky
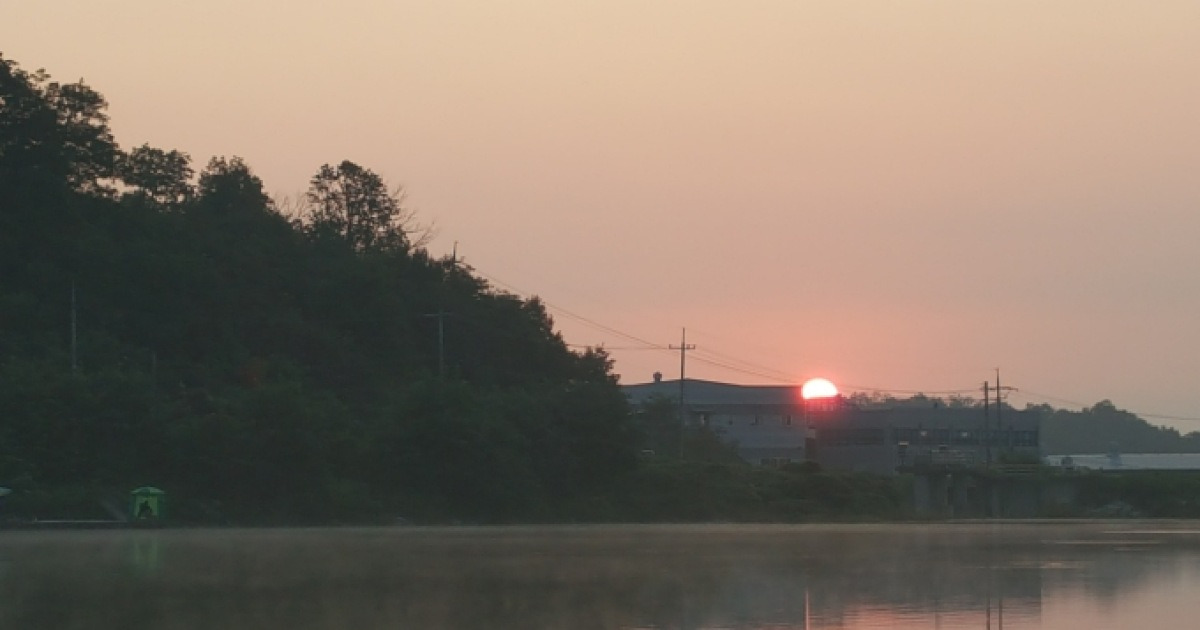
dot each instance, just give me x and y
(1017, 577)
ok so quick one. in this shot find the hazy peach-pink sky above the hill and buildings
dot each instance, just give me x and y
(898, 196)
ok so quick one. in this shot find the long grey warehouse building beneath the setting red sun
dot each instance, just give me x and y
(773, 425)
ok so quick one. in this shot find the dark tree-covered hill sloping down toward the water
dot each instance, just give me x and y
(265, 367)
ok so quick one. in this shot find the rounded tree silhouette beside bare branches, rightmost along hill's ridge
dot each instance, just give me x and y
(356, 205)
